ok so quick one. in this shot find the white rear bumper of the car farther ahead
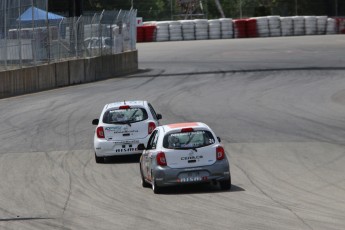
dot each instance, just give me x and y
(104, 148)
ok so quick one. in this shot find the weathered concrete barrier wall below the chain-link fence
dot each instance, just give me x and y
(50, 76)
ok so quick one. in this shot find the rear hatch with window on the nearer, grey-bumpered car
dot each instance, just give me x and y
(189, 148)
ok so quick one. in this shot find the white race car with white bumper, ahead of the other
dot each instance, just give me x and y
(122, 126)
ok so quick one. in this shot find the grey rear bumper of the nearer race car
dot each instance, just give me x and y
(166, 176)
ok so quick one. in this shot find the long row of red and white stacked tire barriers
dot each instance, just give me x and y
(227, 28)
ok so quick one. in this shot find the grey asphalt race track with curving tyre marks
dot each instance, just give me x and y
(277, 103)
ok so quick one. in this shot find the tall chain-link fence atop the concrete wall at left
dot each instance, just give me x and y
(30, 35)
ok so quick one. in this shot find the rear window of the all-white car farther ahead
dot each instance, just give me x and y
(124, 116)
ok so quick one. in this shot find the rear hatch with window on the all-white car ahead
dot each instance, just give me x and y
(125, 123)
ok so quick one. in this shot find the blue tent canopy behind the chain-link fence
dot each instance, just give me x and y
(37, 14)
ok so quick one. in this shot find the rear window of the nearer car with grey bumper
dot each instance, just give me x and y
(187, 140)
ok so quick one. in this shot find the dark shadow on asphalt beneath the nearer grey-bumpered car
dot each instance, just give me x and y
(198, 189)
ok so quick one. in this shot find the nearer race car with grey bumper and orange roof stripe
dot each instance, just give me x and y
(183, 153)
